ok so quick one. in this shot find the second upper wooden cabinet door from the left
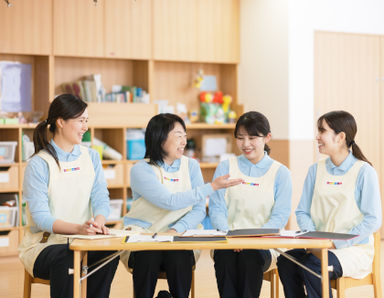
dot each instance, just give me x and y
(78, 28)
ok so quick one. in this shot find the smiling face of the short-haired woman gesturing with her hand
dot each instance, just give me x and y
(175, 143)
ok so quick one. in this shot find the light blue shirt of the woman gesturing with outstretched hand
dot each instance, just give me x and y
(145, 184)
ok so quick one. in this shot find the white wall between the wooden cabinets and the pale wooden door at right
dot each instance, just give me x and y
(276, 40)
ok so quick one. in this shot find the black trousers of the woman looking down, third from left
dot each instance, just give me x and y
(240, 274)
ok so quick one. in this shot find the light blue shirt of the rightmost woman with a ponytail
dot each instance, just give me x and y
(367, 196)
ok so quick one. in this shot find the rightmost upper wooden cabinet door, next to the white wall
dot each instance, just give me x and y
(218, 30)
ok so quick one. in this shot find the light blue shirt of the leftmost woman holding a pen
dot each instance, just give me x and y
(35, 187)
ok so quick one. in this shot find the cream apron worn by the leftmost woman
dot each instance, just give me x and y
(69, 192)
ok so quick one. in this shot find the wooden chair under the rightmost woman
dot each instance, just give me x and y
(343, 283)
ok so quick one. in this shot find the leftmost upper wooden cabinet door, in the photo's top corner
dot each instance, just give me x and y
(26, 27)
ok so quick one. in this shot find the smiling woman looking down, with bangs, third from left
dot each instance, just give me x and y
(263, 200)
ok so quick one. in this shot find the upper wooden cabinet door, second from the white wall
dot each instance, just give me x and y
(174, 26)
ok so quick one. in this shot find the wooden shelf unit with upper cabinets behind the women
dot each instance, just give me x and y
(156, 45)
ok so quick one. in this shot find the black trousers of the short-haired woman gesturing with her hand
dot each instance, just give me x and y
(177, 265)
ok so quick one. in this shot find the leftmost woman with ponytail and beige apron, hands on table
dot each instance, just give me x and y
(66, 193)
